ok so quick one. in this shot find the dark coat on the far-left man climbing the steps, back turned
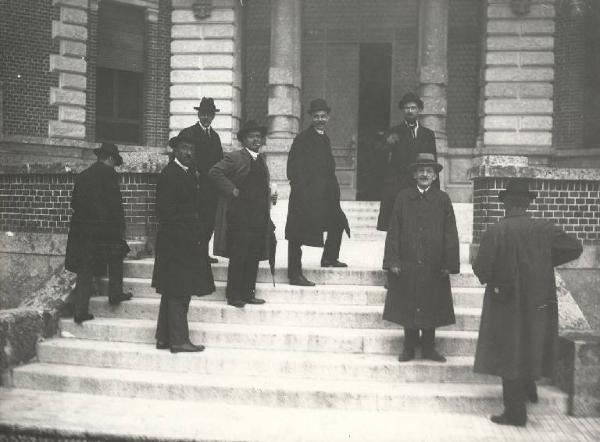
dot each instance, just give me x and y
(98, 221)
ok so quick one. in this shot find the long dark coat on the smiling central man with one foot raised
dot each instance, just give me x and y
(314, 204)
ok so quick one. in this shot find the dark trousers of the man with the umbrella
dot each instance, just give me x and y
(244, 256)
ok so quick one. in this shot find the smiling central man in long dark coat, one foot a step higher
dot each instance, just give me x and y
(314, 204)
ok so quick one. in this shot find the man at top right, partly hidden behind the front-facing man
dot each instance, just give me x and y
(403, 142)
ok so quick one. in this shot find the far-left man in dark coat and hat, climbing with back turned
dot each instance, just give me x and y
(97, 232)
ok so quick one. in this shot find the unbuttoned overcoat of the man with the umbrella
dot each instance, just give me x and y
(227, 175)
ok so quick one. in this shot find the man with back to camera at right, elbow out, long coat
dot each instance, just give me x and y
(519, 320)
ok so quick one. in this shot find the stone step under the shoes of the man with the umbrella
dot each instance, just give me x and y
(295, 315)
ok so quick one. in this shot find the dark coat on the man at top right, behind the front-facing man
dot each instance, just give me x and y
(402, 154)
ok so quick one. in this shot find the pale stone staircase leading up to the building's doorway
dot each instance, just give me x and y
(318, 348)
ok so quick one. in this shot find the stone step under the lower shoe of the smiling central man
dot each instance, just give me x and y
(321, 294)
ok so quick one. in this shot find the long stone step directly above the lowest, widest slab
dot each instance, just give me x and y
(271, 391)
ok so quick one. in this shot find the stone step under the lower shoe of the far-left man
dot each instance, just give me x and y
(270, 337)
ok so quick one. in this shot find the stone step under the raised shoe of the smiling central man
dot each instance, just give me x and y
(142, 268)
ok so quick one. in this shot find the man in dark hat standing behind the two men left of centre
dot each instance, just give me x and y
(207, 152)
